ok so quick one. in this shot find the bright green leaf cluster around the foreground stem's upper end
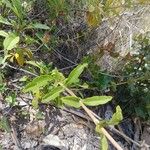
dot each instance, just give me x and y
(50, 87)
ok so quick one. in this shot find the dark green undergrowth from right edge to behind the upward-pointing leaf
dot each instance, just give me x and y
(131, 87)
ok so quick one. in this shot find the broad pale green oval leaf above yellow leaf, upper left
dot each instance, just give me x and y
(11, 41)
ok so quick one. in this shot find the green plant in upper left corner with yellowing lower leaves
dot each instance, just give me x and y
(16, 42)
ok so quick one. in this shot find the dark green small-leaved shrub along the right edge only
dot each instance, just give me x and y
(135, 93)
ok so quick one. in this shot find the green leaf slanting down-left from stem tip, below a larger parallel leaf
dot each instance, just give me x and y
(53, 94)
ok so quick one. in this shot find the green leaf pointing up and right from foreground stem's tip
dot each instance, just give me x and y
(74, 75)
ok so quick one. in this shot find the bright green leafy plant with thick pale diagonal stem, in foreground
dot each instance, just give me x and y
(56, 89)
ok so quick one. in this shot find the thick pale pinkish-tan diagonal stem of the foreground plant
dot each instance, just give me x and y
(95, 120)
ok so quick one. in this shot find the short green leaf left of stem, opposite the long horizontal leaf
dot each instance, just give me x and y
(71, 101)
